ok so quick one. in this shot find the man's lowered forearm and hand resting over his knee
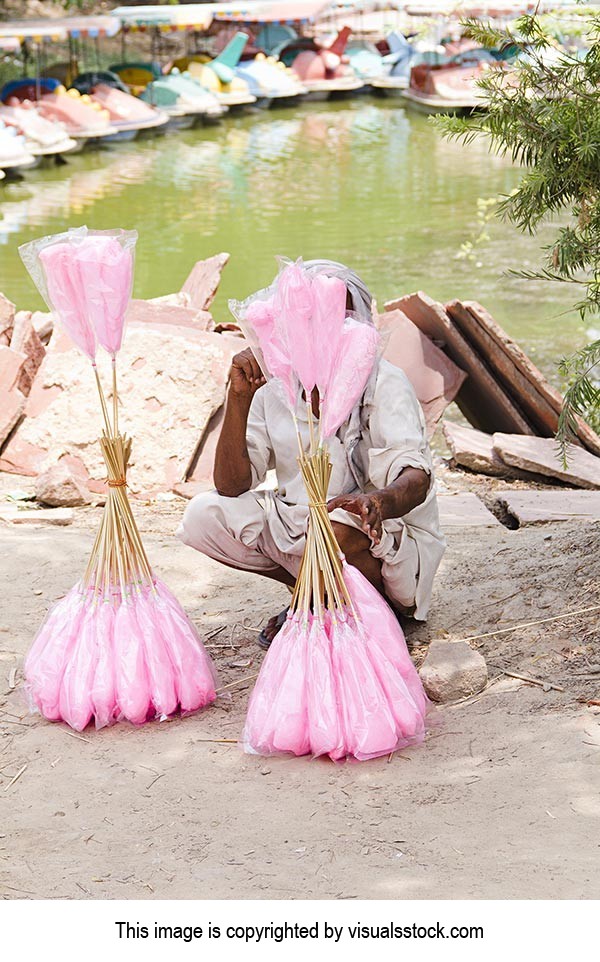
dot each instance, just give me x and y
(394, 501)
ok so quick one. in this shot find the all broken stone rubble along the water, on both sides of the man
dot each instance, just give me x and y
(173, 374)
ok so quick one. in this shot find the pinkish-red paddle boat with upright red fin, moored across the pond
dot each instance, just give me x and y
(324, 71)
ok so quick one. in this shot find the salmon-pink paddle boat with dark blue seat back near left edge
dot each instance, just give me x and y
(83, 119)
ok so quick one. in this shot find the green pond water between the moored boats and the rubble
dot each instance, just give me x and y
(364, 182)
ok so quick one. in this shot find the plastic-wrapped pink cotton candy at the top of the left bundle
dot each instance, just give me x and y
(86, 278)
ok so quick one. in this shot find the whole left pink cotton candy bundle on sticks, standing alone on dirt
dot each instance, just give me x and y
(118, 646)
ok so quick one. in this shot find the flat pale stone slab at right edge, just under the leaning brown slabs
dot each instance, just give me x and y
(540, 455)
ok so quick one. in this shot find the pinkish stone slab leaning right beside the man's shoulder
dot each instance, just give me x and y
(435, 378)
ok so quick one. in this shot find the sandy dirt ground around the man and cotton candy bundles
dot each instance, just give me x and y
(502, 801)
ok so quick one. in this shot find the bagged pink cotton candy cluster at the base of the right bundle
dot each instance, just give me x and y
(346, 687)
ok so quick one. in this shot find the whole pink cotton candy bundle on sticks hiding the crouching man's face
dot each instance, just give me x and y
(337, 679)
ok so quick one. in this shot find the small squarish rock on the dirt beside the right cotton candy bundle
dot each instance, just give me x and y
(453, 670)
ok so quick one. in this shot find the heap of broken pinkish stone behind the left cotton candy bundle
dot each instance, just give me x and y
(172, 372)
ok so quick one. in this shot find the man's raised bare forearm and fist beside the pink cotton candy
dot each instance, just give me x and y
(233, 470)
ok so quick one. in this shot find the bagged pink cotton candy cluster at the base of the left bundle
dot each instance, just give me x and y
(113, 659)
